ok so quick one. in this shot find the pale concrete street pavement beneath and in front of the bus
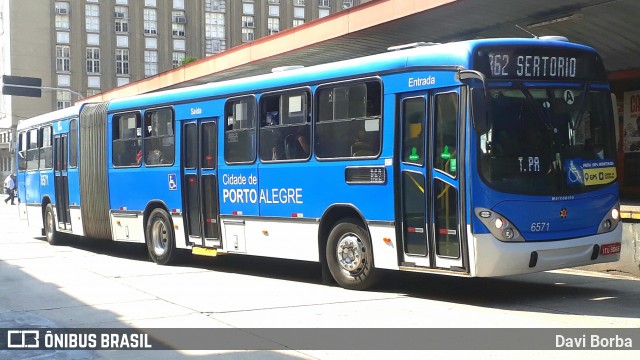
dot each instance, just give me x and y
(96, 284)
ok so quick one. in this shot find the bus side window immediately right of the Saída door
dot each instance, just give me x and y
(240, 129)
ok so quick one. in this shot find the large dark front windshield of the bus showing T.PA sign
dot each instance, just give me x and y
(548, 141)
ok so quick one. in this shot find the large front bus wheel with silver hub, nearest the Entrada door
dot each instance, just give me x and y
(350, 256)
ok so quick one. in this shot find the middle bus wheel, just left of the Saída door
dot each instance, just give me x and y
(160, 238)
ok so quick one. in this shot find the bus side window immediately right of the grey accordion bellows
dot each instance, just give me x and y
(127, 144)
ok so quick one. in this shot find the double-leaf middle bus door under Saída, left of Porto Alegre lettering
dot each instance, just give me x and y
(202, 221)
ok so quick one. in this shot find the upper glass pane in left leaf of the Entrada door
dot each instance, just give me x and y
(413, 136)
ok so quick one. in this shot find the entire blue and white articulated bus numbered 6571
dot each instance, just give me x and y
(476, 158)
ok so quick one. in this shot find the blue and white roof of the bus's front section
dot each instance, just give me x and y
(456, 54)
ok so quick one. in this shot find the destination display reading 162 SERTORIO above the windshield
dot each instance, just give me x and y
(538, 63)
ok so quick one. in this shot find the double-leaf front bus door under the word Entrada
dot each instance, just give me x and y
(430, 181)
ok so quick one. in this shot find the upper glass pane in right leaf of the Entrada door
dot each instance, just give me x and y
(445, 133)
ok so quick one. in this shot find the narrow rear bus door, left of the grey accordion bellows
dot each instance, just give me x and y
(61, 181)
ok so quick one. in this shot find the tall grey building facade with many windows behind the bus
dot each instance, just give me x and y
(80, 48)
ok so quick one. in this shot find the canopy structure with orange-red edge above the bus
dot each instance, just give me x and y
(610, 26)
